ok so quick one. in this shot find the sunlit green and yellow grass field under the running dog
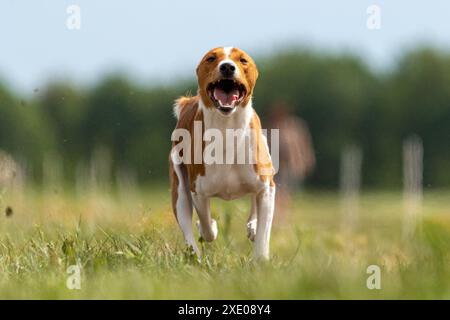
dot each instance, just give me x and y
(129, 246)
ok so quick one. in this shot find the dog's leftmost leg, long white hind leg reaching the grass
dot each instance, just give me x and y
(182, 202)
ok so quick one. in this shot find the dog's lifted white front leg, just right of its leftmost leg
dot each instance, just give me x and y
(207, 227)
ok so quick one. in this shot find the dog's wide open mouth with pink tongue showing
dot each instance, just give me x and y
(226, 94)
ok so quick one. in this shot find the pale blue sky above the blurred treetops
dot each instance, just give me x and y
(163, 40)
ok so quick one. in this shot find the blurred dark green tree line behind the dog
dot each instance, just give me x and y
(341, 98)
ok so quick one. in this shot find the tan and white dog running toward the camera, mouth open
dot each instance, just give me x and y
(226, 79)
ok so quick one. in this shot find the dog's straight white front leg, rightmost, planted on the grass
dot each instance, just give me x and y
(265, 202)
